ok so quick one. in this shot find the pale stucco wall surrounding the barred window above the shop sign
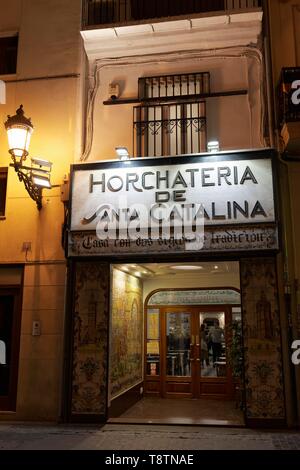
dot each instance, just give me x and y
(233, 120)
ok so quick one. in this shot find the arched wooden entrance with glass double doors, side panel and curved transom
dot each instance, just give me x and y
(189, 342)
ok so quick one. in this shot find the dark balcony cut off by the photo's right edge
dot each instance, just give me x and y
(289, 109)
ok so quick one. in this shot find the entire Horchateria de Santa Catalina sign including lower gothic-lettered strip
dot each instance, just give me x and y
(192, 203)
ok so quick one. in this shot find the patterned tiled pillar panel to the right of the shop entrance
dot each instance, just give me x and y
(262, 342)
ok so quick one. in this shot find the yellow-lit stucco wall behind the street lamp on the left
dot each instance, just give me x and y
(48, 83)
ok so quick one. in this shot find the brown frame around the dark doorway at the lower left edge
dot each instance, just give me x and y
(8, 402)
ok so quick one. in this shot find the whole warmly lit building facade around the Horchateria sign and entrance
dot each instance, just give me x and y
(107, 319)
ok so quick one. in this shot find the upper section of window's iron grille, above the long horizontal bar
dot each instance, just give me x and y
(174, 85)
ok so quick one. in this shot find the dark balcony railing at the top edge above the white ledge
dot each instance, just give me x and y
(103, 12)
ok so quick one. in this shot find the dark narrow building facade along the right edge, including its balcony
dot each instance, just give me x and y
(284, 37)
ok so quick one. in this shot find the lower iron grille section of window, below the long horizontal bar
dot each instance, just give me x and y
(169, 129)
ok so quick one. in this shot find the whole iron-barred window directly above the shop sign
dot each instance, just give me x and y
(172, 117)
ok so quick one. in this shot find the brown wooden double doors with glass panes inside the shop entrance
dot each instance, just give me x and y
(194, 356)
